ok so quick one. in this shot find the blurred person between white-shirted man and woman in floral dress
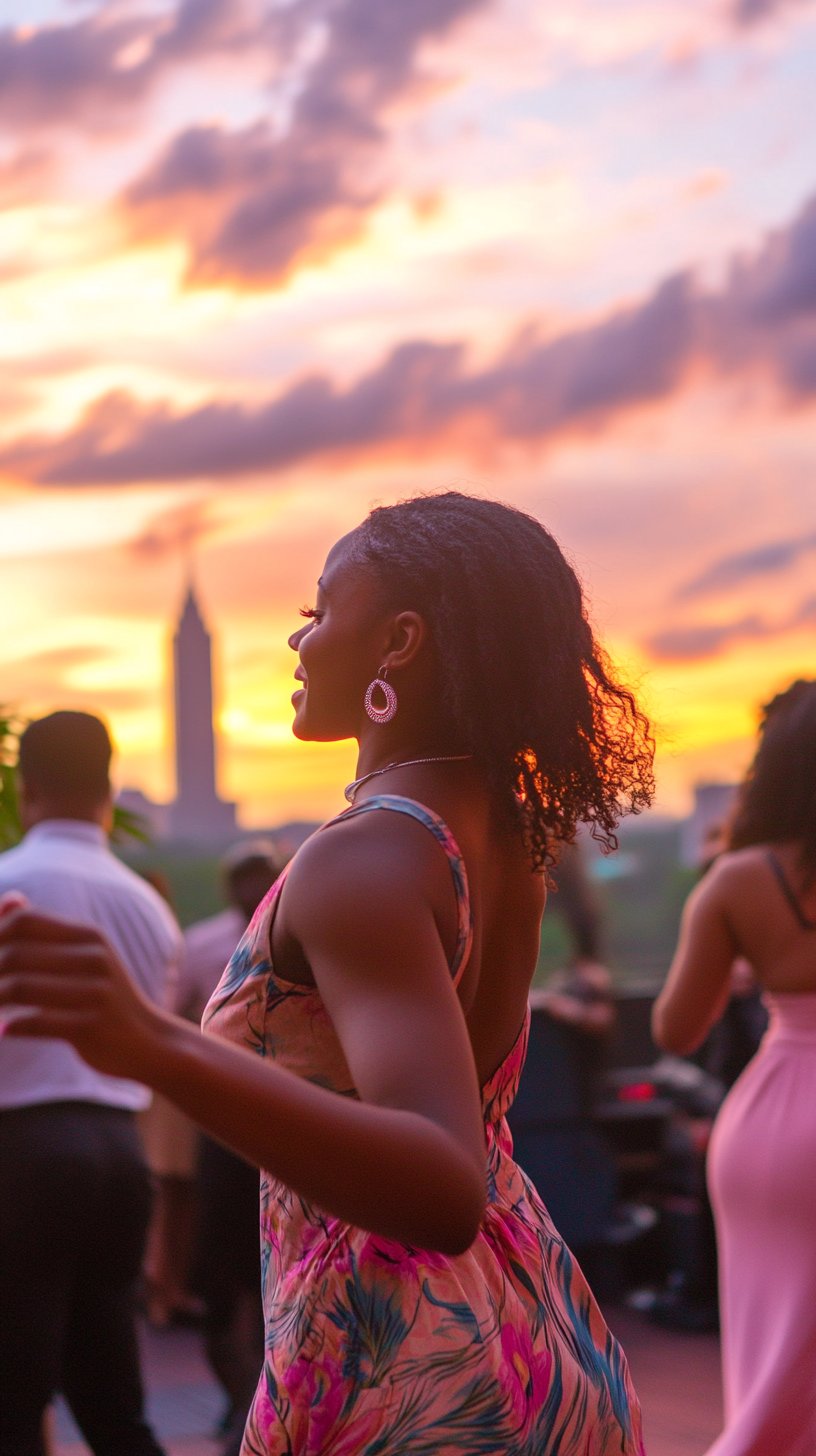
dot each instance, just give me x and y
(228, 1260)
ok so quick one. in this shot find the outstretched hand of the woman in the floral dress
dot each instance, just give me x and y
(76, 989)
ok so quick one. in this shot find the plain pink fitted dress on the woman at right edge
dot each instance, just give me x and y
(763, 1180)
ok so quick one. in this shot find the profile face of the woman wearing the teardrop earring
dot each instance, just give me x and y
(340, 649)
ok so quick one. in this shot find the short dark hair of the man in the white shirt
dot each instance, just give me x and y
(68, 756)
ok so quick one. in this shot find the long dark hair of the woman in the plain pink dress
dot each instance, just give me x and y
(777, 802)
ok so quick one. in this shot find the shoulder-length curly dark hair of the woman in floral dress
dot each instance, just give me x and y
(530, 691)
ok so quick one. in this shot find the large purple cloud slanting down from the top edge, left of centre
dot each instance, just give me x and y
(254, 205)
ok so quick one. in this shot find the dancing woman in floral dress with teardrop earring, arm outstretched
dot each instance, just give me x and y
(368, 1036)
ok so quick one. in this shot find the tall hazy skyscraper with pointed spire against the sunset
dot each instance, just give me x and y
(197, 815)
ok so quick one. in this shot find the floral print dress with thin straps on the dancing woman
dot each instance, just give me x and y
(377, 1349)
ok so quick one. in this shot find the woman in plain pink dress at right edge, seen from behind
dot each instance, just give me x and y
(760, 902)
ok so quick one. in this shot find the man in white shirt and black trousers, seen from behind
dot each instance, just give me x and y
(75, 1190)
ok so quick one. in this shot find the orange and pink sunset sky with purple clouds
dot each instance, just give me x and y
(264, 264)
